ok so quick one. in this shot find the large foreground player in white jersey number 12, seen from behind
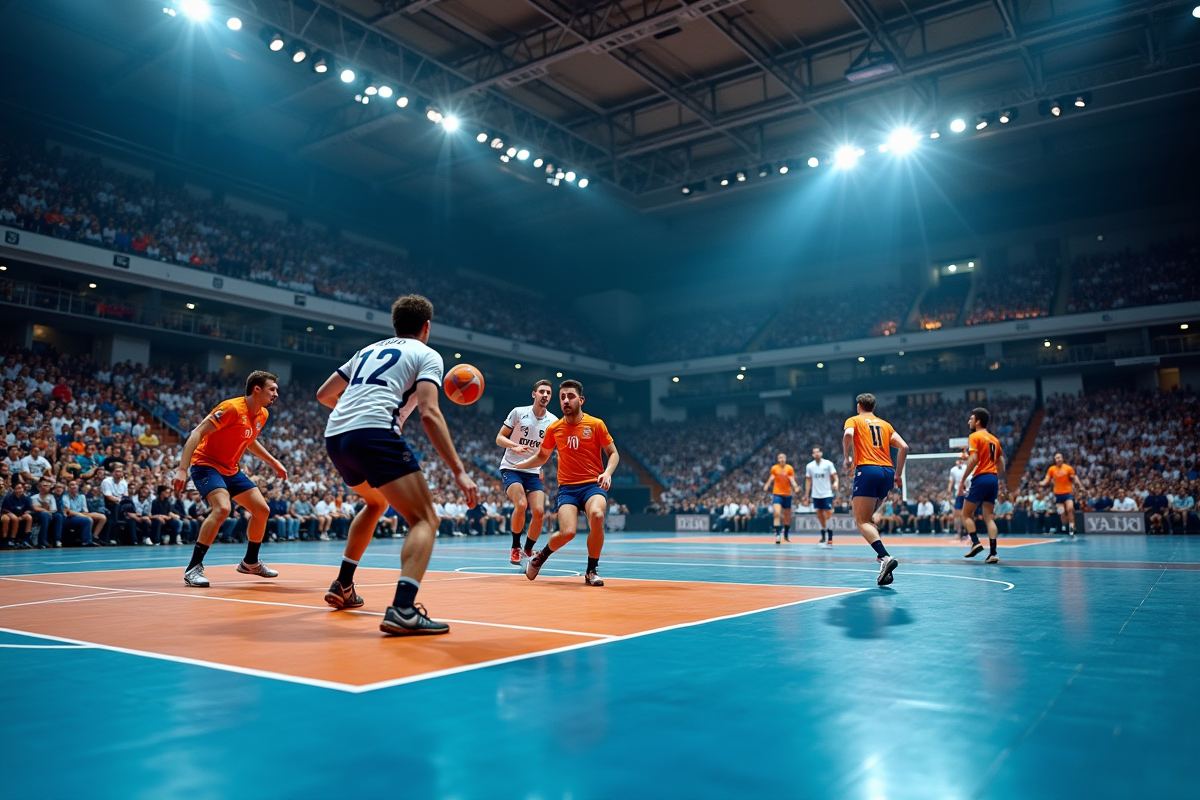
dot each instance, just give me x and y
(371, 396)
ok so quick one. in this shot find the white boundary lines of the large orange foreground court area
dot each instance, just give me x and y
(352, 689)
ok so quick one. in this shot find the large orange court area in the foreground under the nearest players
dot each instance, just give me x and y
(283, 629)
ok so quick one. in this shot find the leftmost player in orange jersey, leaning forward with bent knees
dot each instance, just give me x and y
(213, 453)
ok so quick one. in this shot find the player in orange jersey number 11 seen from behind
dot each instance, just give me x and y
(867, 444)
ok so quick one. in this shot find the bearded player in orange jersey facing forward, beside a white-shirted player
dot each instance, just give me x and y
(587, 459)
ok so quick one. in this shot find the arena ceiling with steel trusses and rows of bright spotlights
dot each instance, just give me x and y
(641, 98)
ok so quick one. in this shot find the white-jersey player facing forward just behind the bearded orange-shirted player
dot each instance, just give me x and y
(521, 436)
